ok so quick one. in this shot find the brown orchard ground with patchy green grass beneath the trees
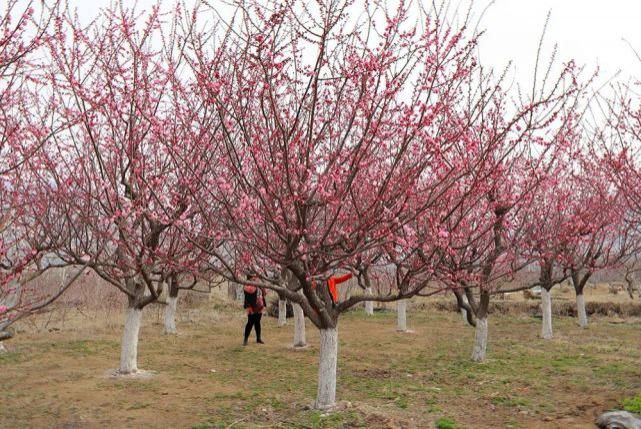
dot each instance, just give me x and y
(57, 372)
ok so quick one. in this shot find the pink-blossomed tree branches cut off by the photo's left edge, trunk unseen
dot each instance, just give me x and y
(23, 130)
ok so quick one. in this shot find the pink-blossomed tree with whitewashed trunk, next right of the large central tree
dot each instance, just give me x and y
(504, 150)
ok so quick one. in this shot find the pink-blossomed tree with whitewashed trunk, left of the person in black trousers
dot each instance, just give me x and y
(116, 169)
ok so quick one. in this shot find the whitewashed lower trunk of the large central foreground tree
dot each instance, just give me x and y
(326, 396)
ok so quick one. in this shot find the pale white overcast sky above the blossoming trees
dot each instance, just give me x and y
(591, 32)
